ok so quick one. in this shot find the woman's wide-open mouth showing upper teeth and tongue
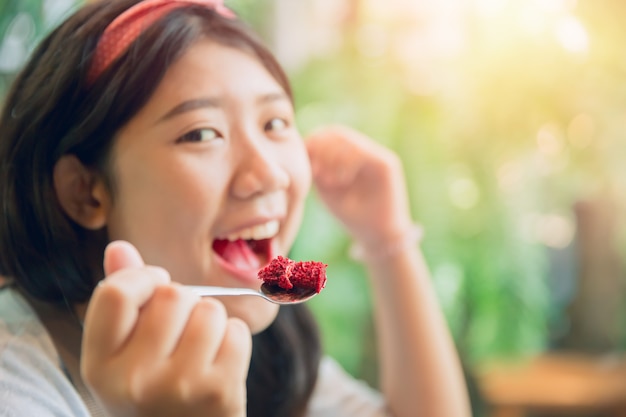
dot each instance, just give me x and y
(243, 254)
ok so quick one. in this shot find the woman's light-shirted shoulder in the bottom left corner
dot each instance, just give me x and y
(32, 381)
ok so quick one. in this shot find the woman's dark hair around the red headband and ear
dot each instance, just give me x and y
(52, 111)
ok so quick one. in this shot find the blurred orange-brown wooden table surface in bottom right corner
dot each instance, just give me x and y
(556, 384)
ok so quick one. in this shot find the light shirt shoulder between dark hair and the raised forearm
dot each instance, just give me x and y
(338, 394)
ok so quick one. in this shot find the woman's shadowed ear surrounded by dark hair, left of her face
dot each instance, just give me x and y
(82, 194)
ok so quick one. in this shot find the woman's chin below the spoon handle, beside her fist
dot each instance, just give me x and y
(258, 314)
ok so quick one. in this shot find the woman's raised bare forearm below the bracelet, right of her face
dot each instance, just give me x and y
(419, 365)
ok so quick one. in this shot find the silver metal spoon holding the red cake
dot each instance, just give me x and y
(271, 293)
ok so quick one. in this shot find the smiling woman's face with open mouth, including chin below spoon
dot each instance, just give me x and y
(211, 175)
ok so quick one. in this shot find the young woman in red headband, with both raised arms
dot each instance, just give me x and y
(151, 144)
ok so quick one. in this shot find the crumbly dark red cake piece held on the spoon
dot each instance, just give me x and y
(291, 275)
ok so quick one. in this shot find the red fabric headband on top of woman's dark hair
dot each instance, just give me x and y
(125, 28)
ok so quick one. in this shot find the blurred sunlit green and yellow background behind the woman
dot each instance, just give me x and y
(510, 117)
